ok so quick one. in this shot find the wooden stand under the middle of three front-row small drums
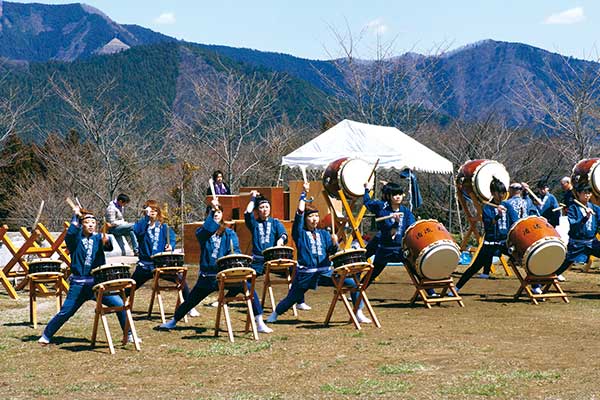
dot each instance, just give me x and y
(236, 277)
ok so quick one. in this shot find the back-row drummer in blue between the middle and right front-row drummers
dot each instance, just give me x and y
(266, 232)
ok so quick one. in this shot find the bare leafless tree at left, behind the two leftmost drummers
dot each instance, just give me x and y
(111, 150)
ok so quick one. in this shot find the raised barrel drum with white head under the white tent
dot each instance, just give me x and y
(348, 175)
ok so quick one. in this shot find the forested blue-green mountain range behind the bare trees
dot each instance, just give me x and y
(83, 45)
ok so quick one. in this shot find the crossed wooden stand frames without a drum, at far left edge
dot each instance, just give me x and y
(30, 247)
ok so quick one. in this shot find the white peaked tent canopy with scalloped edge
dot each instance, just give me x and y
(392, 147)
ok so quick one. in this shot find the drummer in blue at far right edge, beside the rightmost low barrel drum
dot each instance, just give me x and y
(584, 225)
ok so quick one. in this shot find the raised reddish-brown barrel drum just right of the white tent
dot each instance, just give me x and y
(474, 178)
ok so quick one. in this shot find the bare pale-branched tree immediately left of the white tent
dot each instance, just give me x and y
(226, 118)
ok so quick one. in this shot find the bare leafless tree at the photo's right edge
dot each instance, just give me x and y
(566, 105)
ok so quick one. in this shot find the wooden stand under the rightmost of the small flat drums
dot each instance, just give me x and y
(361, 274)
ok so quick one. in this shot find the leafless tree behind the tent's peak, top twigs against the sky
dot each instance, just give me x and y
(389, 89)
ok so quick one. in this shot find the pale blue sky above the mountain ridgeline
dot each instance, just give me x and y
(304, 28)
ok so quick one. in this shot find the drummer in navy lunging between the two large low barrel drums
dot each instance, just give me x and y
(498, 217)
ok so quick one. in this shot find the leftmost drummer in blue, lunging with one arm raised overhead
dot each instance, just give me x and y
(86, 248)
